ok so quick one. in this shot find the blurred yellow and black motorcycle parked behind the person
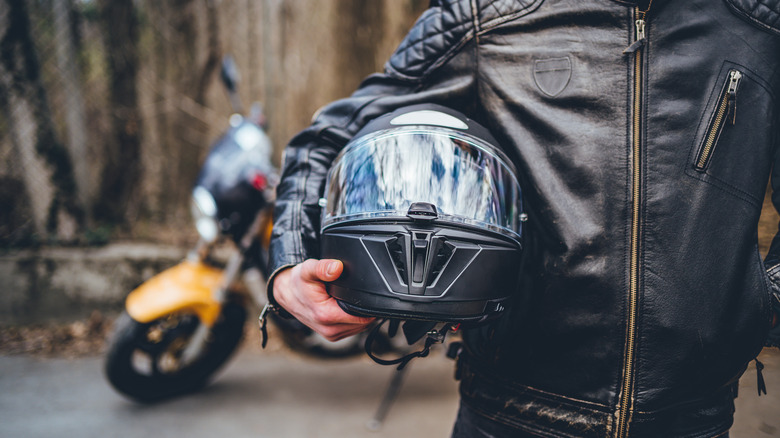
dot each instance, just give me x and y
(183, 324)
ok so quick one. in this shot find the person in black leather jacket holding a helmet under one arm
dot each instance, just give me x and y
(644, 134)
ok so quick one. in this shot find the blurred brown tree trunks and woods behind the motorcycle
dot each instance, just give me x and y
(108, 107)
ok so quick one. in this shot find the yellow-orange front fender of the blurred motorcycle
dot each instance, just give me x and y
(188, 286)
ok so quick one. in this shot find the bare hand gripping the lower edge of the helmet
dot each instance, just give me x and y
(300, 290)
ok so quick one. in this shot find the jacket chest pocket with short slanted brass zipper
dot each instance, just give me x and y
(732, 149)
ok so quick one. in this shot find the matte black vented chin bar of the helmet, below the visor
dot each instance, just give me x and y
(405, 269)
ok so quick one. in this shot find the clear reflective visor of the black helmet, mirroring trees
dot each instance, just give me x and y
(382, 174)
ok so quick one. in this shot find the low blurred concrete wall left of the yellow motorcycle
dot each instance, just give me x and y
(55, 284)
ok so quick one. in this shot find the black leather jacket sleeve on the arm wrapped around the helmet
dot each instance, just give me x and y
(436, 63)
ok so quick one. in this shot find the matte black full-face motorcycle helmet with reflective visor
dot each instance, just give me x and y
(425, 212)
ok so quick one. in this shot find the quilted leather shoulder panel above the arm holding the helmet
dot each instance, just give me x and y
(446, 27)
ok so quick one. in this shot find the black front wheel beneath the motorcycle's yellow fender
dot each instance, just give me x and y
(141, 357)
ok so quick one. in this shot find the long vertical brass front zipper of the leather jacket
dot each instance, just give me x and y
(625, 405)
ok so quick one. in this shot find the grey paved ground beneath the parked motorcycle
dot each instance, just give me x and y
(274, 394)
